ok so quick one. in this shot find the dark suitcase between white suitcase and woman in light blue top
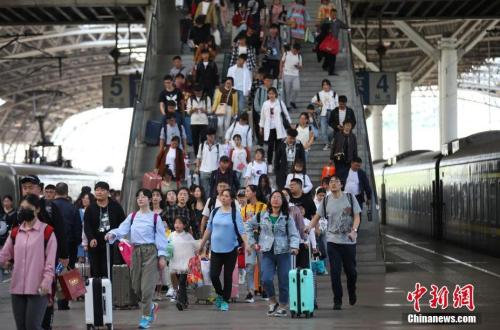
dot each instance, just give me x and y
(123, 295)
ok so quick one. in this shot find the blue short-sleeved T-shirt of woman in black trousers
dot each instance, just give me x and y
(223, 237)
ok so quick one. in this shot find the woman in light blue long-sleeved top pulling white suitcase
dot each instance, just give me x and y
(147, 234)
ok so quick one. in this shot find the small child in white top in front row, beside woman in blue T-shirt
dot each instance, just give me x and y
(184, 249)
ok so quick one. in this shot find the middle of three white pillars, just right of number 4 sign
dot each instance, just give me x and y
(404, 110)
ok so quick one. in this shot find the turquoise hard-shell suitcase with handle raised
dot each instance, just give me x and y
(301, 289)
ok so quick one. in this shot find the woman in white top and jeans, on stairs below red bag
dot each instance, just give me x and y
(327, 100)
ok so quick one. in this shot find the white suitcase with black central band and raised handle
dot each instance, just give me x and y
(99, 300)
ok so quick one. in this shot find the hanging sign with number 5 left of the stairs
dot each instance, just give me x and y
(116, 91)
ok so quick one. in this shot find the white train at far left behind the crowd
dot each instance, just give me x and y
(11, 174)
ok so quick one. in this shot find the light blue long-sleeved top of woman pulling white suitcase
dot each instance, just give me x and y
(143, 231)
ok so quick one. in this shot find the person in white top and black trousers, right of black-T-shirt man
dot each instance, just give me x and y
(198, 107)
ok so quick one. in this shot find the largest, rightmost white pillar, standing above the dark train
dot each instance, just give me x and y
(447, 81)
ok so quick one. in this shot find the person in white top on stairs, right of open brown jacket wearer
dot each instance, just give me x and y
(207, 159)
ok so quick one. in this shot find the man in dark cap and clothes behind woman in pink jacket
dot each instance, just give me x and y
(49, 214)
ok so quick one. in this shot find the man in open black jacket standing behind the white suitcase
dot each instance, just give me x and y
(101, 217)
